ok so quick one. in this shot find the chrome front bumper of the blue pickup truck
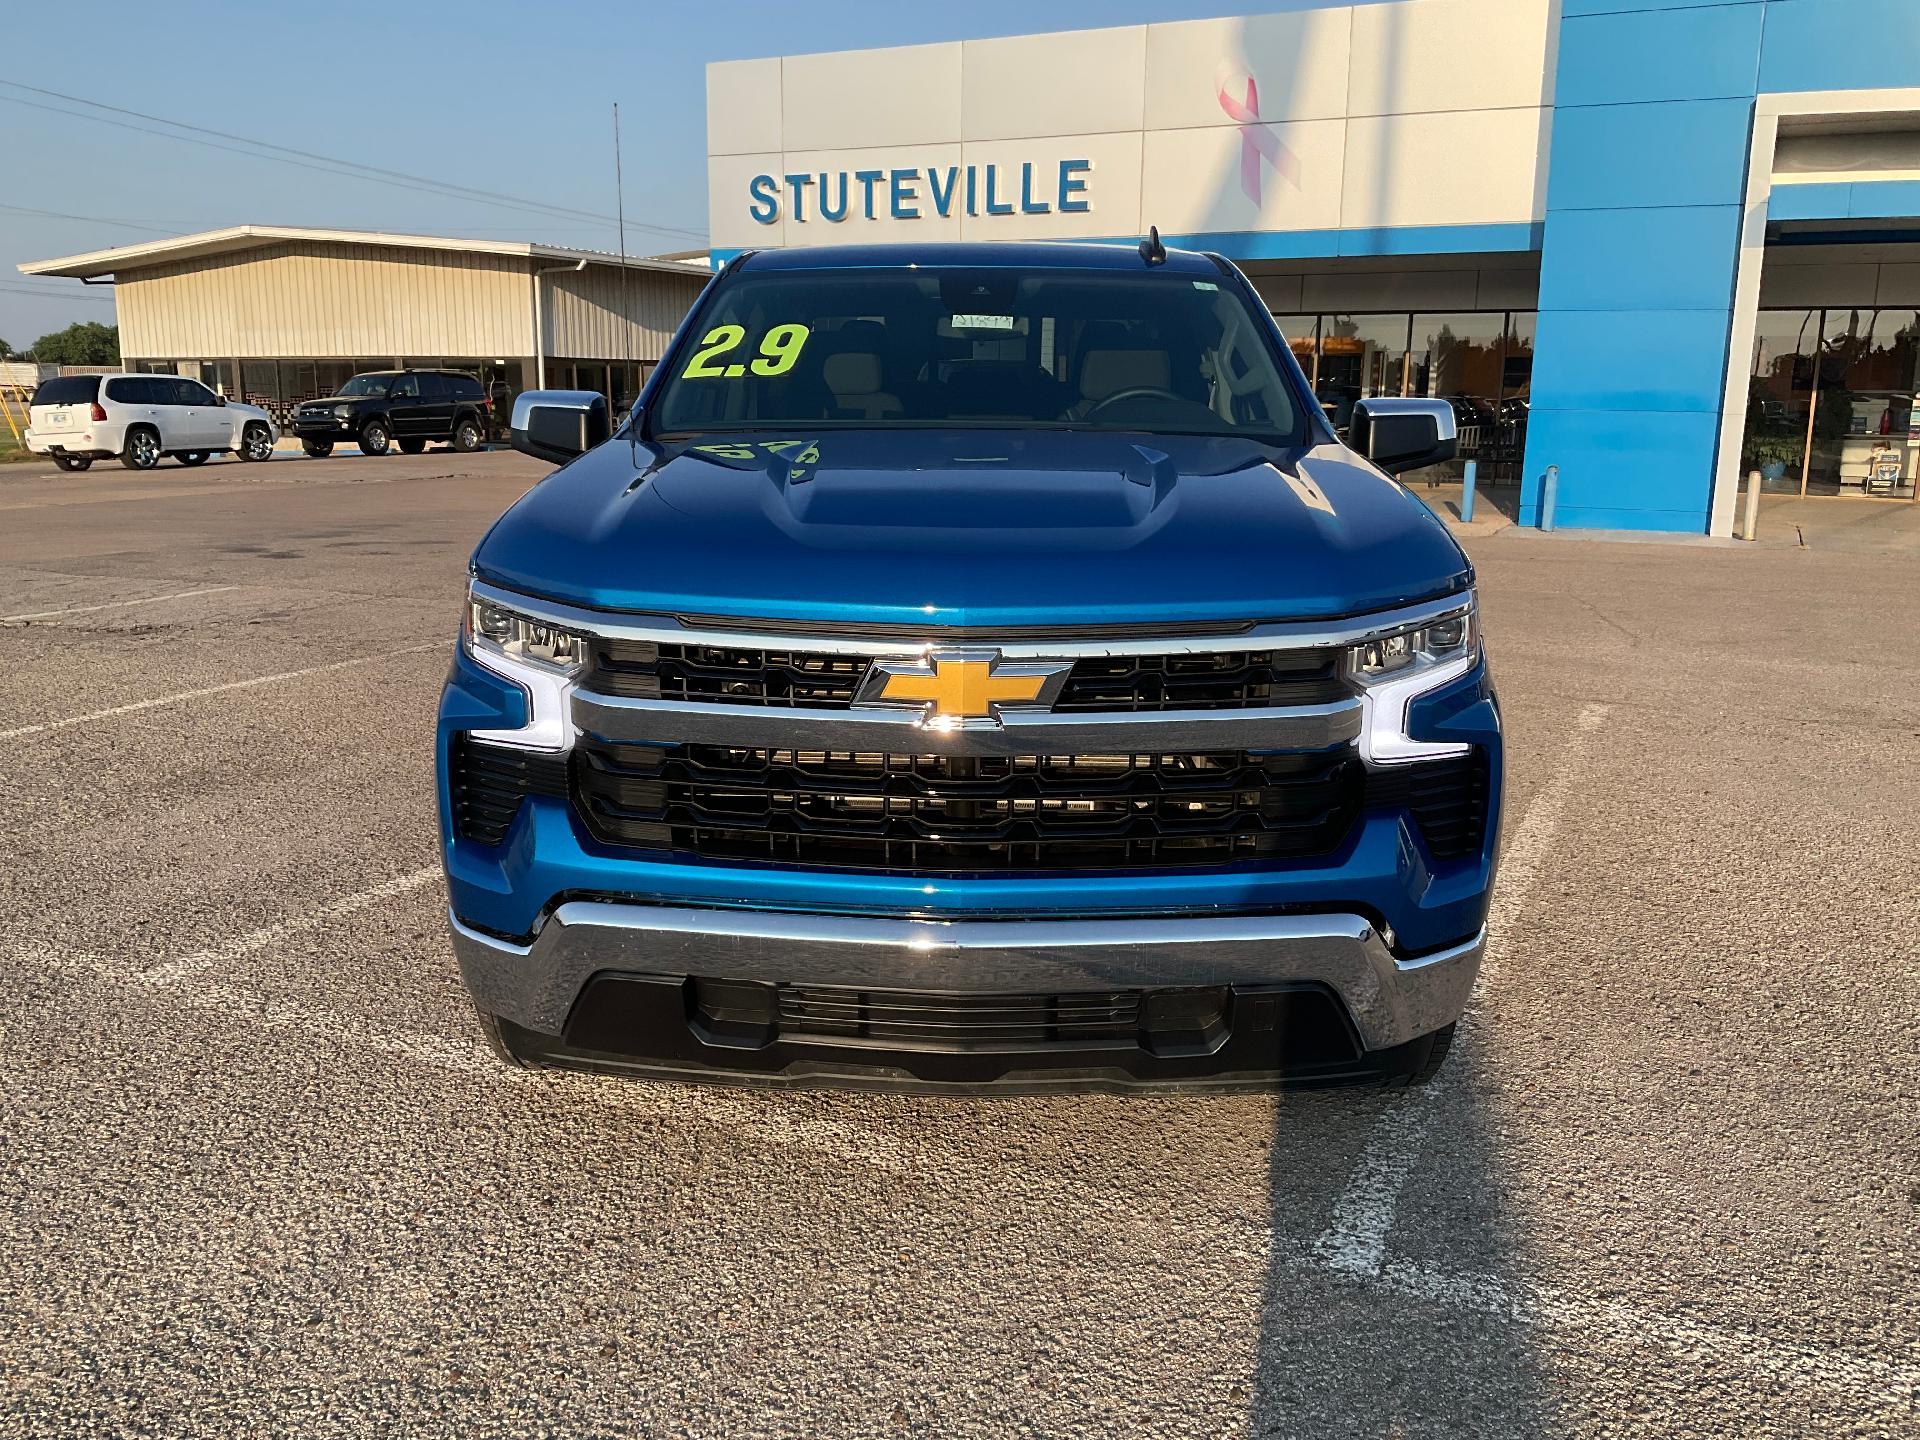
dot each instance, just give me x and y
(1391, 1001)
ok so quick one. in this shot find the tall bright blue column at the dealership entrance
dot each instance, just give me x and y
(1652, 118)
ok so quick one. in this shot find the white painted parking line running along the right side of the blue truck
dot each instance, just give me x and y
(1355, 1241)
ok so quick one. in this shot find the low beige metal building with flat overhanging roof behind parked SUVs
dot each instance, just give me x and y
(277, 316)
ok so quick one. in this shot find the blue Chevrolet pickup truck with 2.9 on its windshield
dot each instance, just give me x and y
(972, 667)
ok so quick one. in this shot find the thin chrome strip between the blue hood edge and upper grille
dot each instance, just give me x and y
(1276, 635)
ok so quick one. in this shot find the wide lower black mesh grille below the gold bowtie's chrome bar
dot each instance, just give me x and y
(946, 815)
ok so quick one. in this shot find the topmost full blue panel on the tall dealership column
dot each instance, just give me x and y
(1660, 55)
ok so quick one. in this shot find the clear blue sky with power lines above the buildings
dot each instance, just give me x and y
(500, 97)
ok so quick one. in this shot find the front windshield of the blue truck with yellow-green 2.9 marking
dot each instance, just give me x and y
(996, 348)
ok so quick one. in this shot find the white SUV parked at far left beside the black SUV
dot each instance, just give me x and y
(80, 420)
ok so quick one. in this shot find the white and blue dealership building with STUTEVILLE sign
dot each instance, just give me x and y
(1643, 245)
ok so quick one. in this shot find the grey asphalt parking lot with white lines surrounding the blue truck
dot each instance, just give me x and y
(262, 1178)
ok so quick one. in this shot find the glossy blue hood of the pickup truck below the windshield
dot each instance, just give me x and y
(972, 529)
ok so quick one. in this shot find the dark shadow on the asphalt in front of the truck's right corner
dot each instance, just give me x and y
(1391, 1291)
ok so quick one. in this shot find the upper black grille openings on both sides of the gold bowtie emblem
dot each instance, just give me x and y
(1209, 681)
